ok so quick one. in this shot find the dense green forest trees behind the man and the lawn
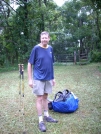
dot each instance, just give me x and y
(74, 26)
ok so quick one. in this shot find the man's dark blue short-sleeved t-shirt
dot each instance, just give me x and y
(42, 60)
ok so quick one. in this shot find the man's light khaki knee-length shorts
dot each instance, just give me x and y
(41, 87)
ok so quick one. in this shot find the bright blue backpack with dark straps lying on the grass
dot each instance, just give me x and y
(64, 102)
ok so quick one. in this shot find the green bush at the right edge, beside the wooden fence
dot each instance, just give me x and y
(96, 56)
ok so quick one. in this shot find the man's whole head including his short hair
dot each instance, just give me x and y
(44, 37)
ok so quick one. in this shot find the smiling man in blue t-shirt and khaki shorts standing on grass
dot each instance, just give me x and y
(42, 59)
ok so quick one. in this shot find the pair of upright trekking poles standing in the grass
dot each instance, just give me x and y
(21, 93)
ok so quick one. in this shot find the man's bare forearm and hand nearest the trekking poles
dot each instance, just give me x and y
(30, 79)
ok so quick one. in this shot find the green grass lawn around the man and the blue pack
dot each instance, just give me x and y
(84, 81)
